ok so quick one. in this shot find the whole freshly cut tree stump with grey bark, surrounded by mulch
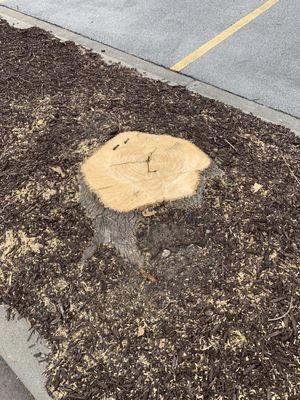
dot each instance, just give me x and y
(133, 171)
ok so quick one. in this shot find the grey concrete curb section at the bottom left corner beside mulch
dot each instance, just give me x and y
(18, 347)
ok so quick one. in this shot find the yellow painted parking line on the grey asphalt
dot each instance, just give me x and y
(222, 36)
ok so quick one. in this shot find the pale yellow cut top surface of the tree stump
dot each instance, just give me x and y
(136, 169)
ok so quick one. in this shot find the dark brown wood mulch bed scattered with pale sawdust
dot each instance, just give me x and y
(222, 320)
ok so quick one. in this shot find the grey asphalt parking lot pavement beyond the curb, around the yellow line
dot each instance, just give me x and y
(259, 62)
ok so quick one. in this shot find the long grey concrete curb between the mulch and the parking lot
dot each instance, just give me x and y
(156, 72)
